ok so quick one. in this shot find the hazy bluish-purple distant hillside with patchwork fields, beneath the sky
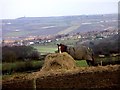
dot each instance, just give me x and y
(32, 26)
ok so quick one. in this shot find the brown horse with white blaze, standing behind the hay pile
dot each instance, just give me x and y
(79, 52)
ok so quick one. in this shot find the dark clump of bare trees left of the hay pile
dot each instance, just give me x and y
(19, 53)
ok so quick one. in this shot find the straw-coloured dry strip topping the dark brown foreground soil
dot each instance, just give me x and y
(82, 70)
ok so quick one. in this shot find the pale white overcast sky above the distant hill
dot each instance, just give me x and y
(43, 8)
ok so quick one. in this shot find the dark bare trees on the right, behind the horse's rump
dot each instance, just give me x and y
(106, 46)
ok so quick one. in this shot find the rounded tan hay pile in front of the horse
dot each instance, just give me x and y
(57, 61)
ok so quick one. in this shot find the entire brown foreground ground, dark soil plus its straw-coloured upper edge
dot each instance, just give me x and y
(81, 77)
